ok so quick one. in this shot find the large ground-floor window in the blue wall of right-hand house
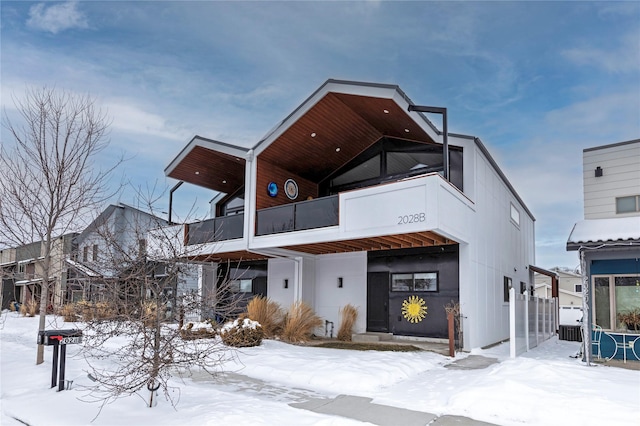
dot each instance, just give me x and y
(614, 295)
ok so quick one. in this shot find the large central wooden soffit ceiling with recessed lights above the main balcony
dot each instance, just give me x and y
(335, 130)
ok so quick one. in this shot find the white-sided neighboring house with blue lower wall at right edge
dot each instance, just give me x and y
(608, 241)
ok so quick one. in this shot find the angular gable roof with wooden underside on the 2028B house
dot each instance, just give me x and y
(337, 122)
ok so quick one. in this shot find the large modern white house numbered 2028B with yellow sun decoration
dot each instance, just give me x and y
(352, 199)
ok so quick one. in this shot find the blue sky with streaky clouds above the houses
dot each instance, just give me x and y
(537, 82)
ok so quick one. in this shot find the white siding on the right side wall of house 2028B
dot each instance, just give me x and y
(497, 249)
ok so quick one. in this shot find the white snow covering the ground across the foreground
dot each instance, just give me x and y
(544, 387)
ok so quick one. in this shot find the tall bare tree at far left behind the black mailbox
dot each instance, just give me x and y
(49, 178)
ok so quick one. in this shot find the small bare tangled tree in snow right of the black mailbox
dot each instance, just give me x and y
(143, 306)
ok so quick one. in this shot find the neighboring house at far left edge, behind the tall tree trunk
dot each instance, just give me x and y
(22, 271)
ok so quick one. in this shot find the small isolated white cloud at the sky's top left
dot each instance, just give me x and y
(56, 18)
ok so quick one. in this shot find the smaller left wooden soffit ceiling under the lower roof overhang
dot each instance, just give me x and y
(210, 169)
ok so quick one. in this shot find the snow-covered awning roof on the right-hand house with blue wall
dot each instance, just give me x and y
(600, 231)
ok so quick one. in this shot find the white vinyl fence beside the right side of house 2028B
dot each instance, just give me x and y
(532, 320)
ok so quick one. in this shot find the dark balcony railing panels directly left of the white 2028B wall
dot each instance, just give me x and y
(298, 216)
